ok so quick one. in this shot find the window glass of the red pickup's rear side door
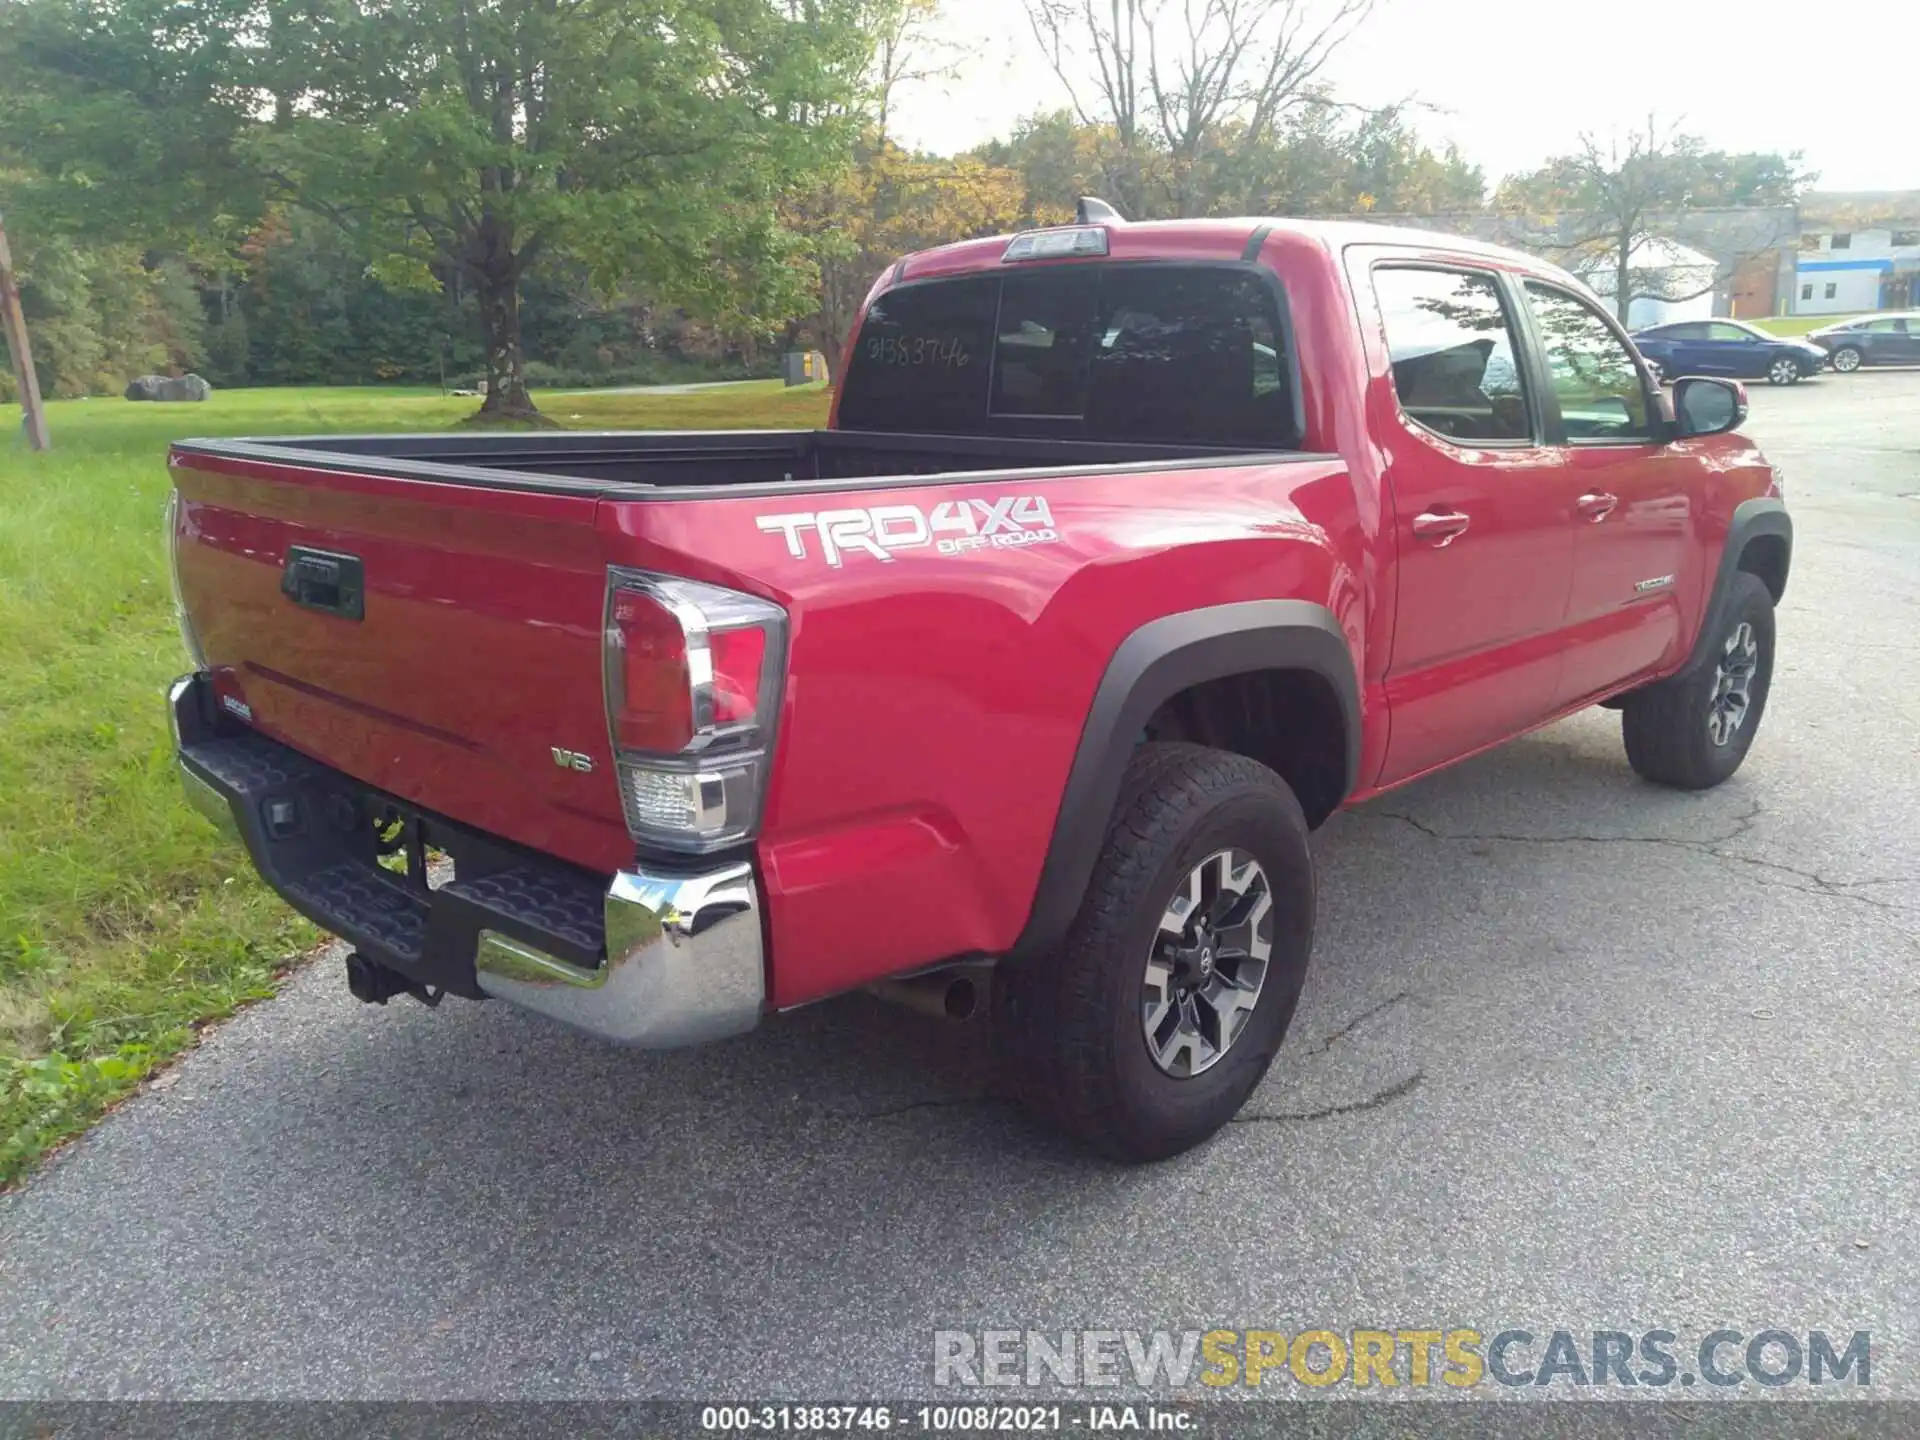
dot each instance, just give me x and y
(1452, 352)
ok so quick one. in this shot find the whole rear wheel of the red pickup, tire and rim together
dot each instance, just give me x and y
(1166, 1005)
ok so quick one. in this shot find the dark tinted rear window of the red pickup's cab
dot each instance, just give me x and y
(1155, 354)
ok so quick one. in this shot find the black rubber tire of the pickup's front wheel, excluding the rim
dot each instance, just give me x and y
(1668, 727)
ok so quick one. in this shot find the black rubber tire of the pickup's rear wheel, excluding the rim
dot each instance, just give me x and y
(1070, 1024)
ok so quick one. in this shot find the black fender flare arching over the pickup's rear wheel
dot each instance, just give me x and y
(1151, 667)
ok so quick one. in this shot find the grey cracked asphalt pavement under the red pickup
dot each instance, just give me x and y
(1575, 1053)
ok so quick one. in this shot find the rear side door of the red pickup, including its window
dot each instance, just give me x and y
(1481, 514)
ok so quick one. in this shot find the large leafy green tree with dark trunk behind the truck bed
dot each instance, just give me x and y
(471, 139)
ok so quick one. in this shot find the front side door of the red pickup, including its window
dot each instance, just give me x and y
(1633, 498)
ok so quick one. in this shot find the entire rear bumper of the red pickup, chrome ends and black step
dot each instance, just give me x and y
(650, 959)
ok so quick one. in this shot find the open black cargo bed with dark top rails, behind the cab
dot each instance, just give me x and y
(681, 464)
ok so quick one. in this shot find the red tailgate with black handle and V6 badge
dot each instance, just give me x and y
(439, 642)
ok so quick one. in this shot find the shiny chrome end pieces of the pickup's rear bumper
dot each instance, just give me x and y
(684, 961)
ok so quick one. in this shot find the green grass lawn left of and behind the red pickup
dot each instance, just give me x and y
(126, 923)
